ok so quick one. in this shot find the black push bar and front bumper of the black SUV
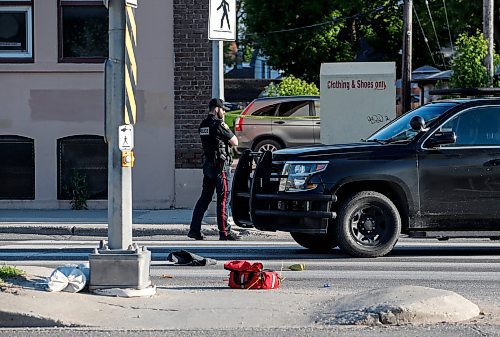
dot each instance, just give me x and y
(255, 198)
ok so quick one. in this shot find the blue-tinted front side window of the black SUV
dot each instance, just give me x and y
(475, 127)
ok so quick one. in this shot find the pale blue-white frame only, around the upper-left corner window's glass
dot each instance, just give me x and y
(23, 6)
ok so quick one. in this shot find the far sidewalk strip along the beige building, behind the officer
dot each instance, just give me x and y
(94, 222)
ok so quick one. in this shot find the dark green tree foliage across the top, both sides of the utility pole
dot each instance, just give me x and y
(358, 30)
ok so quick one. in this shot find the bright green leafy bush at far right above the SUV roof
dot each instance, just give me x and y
(468, 68)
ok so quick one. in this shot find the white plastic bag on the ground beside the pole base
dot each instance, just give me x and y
(68, 278)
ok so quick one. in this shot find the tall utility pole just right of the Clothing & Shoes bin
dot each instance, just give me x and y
(407, 52)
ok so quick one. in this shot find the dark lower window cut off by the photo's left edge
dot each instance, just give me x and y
(17, 170)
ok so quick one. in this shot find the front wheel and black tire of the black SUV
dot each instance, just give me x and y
(368, 225)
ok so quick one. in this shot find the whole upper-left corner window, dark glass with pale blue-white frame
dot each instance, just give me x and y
(16, 32)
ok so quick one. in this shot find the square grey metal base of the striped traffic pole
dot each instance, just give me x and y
(120, 268)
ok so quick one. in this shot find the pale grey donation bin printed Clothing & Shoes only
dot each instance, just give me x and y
(357, 99)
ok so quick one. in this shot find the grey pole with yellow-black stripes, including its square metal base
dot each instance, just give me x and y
(120, 263)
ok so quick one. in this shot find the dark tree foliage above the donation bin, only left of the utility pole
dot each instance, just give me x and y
(337, 31)
